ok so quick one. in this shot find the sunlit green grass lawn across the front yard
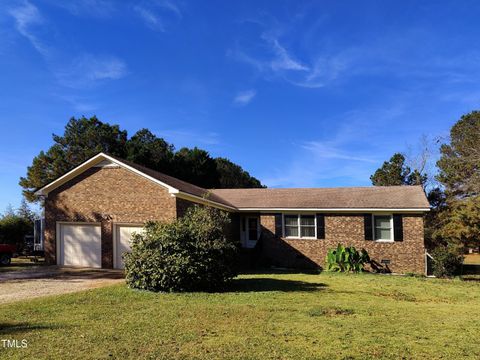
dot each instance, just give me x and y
(263, 316)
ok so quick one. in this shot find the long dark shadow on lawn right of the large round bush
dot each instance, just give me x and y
(269, 284)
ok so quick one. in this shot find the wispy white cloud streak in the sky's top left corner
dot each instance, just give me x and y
(26, 17)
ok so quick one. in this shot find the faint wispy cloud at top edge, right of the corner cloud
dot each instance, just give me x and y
(156, 14)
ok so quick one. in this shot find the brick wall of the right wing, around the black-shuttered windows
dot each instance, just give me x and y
(404, 256)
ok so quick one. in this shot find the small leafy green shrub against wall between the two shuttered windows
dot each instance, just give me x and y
(346, 259)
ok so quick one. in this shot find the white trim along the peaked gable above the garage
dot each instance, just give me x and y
(97, 159)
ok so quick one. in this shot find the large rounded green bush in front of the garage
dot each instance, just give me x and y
(190, 254)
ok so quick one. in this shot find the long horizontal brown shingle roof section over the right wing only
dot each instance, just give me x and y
(375, 197)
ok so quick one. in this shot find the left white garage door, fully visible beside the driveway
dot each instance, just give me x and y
(80, 245)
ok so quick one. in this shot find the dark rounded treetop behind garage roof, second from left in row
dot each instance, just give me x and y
(148, 150)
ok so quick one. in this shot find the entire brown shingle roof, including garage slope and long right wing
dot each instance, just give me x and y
(374, 197)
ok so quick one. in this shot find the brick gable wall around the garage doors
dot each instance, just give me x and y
(107, 196)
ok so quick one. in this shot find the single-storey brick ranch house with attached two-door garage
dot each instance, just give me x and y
(91, 212)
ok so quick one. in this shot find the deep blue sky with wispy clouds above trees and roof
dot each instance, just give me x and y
(299, 93)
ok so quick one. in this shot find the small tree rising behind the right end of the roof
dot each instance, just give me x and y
(396, 172)
